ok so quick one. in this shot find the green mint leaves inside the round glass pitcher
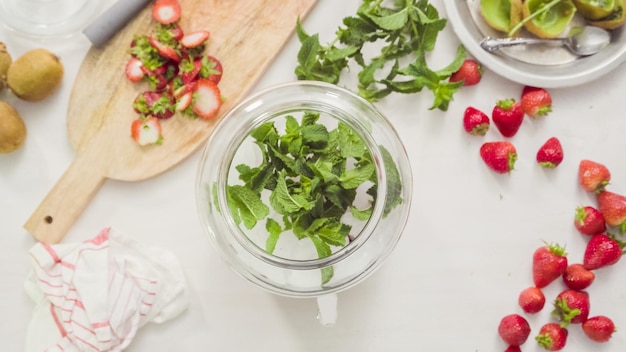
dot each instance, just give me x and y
(310, 176)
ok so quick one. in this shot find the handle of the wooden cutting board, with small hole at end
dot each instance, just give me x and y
(66, 201)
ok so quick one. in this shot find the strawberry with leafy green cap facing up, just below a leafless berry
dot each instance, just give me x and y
(571, 307)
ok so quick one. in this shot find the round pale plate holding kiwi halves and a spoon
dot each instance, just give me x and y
(536, 65)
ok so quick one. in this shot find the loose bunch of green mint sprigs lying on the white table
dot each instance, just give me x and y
(407, 31)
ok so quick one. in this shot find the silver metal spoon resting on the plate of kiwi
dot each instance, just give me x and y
(588, 41)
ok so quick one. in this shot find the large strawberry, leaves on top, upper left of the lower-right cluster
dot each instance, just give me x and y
(549, 263)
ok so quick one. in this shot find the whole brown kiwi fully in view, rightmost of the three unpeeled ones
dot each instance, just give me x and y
(35, 75)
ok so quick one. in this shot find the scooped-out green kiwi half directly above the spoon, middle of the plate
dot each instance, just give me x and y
(547, 22)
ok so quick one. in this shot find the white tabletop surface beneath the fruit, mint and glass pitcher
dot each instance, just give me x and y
(464, 256)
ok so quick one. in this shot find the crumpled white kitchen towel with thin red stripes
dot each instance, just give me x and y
(95, 295)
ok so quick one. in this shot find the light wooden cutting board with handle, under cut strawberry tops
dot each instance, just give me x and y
(246, 35)
